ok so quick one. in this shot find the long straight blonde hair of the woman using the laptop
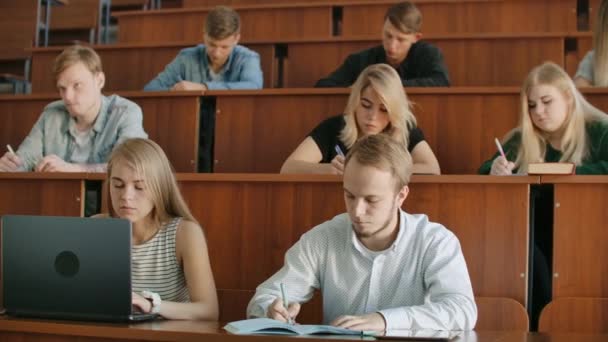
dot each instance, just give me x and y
(150, 162)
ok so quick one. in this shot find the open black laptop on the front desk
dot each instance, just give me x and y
(68, 268)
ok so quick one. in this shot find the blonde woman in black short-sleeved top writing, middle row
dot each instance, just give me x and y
(377, 104)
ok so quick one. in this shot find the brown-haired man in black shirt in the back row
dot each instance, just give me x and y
(418, 63)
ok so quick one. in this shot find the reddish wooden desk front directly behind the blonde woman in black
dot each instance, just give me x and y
(257, 130)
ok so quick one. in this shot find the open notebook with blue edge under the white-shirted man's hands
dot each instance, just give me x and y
(273, 327)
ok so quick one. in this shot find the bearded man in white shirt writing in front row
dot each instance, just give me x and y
(378, 267)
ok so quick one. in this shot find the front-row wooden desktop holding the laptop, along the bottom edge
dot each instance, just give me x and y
(14, 329)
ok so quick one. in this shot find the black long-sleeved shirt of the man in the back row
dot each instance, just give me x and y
(422, 67)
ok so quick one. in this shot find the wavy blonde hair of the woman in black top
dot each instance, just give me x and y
(387, 84)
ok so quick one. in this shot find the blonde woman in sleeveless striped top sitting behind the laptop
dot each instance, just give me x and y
(171, 273)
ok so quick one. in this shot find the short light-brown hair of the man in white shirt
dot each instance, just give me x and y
(384, 153)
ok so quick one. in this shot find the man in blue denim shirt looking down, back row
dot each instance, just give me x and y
(218, 64)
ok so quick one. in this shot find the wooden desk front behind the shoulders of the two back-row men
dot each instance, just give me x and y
(471, 58)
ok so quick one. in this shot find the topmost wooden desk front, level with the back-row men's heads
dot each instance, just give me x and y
(349, 18)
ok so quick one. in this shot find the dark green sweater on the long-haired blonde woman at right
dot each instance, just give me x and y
(596, 162)
